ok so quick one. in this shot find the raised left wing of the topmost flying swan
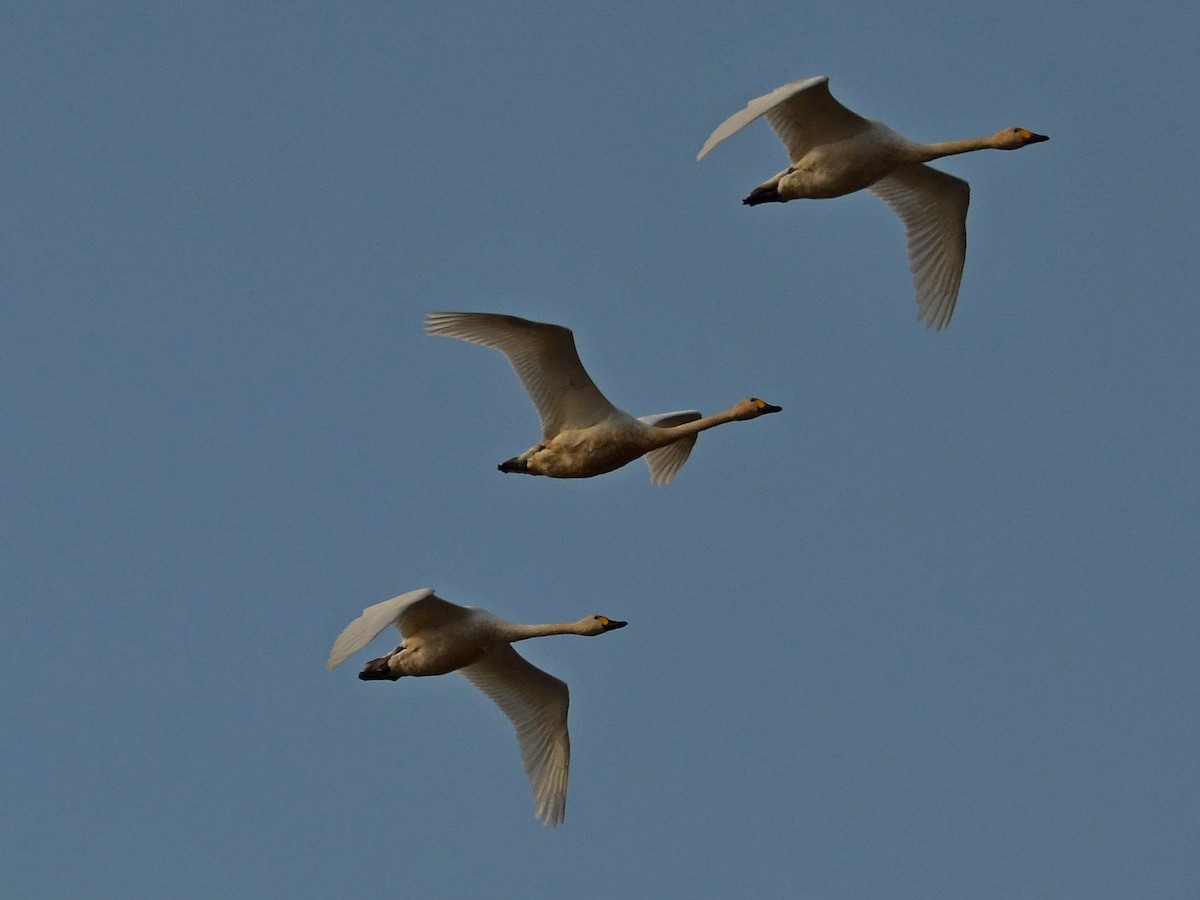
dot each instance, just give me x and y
(803, 115)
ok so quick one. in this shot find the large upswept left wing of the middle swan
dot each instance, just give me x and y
(545, 361)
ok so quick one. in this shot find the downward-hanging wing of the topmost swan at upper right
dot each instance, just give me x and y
(933, 207)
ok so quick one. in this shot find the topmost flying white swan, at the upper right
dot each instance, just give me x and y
(836, 152)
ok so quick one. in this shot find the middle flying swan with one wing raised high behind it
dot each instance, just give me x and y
(584, 435)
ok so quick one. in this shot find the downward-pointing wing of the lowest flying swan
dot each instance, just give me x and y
(536, 703)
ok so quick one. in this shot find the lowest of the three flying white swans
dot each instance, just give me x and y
(442, 638)
